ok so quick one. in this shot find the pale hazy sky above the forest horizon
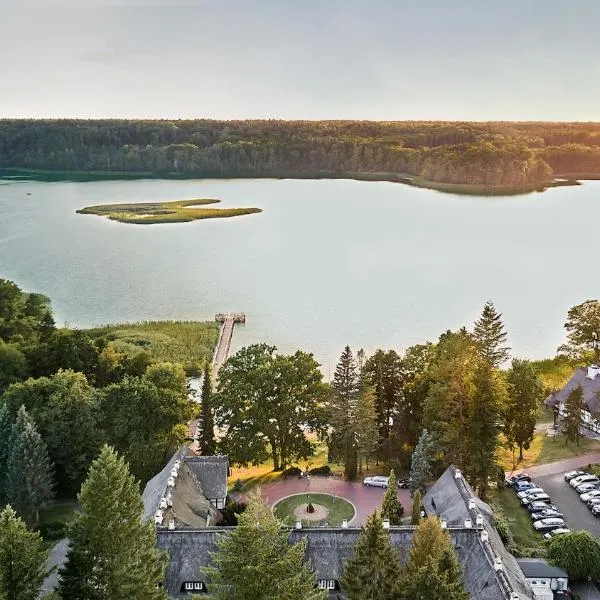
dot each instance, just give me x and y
(302, 59)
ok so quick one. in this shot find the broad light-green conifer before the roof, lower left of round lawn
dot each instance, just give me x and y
(256, 561)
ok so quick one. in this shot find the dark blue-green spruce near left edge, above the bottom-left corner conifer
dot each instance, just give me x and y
(28, 472)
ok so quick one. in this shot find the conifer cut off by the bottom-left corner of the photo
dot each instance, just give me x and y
(22, 558)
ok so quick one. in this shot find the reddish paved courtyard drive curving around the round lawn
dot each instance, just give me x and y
(365, 499)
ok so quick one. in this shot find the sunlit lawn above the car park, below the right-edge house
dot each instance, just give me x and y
(546, 449)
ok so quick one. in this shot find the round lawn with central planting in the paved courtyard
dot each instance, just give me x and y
(314, 510)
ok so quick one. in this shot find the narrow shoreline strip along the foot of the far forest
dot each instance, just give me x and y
(567, 179)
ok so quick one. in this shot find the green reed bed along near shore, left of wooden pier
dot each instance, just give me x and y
(190, 343)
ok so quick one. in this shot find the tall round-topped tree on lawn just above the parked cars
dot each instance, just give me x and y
(525, 392)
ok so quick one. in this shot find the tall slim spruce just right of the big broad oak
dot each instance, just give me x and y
(343, 410)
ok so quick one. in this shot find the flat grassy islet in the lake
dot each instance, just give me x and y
(178, 211)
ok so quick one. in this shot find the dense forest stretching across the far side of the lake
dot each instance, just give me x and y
(489, 154)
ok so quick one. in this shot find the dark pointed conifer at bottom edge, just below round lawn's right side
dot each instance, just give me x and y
(374, 568)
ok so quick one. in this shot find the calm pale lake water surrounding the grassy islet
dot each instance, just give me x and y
(327, 263)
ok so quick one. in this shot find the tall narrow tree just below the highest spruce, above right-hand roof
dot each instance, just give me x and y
(488, 403)
